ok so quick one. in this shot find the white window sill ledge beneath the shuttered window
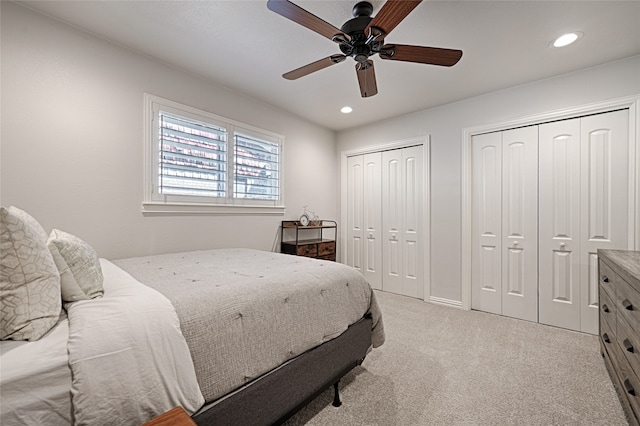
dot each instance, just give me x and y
(183, 209)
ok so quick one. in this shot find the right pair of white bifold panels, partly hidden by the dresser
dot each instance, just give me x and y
(584, 196)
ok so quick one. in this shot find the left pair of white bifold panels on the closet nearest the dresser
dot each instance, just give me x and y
(505, 223)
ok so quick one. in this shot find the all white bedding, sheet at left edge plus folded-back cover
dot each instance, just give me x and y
(129, 362)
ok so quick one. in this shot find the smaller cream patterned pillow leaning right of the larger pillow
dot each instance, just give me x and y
(79, 266)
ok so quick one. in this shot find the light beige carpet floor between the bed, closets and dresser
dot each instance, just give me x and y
(445, 366)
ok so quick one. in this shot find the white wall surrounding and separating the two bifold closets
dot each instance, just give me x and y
(445, 125)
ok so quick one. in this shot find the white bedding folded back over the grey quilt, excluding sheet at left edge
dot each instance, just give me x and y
(128, 357)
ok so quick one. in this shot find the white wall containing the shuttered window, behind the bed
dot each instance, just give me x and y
(71, 142)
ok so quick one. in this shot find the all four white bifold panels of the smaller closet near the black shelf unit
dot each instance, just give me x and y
(384, 219)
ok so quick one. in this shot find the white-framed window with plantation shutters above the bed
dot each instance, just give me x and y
(198, 162)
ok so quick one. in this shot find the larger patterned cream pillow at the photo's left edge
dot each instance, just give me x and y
(29, 279)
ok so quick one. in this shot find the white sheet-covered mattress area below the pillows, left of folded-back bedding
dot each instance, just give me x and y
(36, 379)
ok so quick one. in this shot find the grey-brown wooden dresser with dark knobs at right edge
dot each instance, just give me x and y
(619, 292)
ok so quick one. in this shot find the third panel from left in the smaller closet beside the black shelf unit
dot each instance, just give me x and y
(392, 221)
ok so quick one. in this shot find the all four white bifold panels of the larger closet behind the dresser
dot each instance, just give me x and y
(545, 199)
